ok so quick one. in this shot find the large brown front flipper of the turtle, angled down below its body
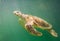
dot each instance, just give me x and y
(32, 30)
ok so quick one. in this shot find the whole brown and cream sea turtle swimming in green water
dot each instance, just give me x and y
(30, 21)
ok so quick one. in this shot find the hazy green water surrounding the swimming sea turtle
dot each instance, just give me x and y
(11, 30)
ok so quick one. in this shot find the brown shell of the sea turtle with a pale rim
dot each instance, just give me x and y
(42, 23)
